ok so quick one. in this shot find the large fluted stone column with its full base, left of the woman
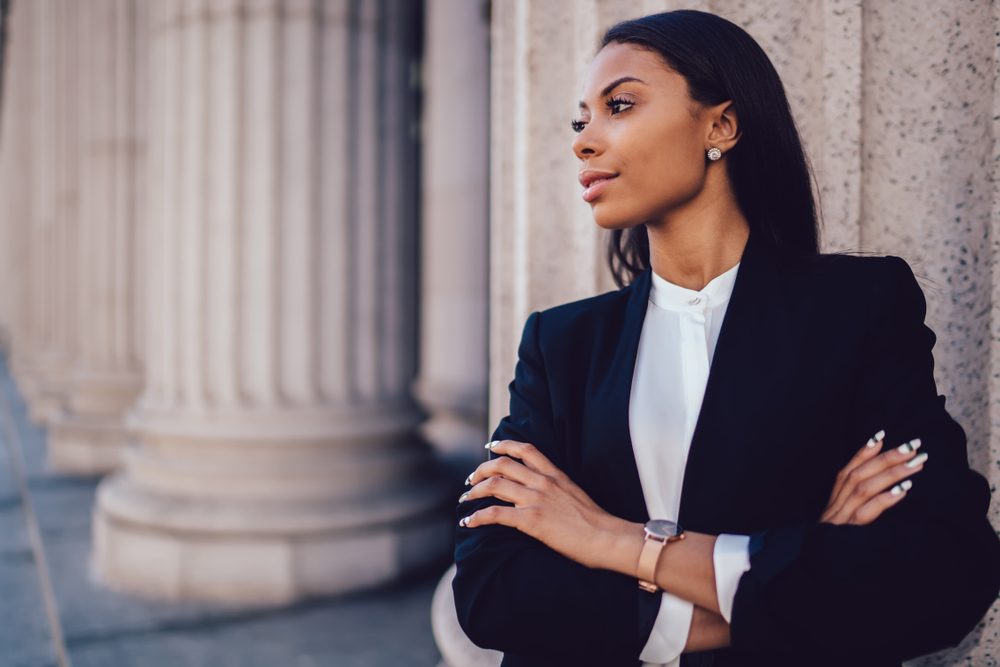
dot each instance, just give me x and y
(276, 454)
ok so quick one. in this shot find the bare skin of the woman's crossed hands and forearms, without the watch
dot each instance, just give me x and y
(567, 520)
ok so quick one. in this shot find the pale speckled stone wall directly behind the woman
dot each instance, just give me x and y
(897, 109)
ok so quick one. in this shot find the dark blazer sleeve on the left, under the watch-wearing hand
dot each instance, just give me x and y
(515, 594)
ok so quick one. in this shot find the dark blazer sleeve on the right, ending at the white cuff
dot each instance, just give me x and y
(918, 578)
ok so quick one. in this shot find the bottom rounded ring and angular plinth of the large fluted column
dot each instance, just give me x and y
(263, 552)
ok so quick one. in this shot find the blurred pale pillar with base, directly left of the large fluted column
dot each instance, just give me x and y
(88, 436)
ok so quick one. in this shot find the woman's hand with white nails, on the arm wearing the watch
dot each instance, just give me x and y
(548, 505)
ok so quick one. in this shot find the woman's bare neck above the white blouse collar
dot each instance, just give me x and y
(692, 245)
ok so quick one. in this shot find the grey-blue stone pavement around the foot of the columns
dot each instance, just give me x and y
(100, 628)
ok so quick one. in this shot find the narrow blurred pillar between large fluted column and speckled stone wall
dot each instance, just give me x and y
(454, 226)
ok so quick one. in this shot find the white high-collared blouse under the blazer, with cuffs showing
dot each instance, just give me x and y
(675, 353)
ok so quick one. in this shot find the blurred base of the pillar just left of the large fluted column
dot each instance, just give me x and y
(81, 445)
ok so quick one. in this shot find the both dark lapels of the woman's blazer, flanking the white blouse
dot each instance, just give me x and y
(755, 333)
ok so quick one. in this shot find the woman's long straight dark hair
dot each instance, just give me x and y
(767, 167)
